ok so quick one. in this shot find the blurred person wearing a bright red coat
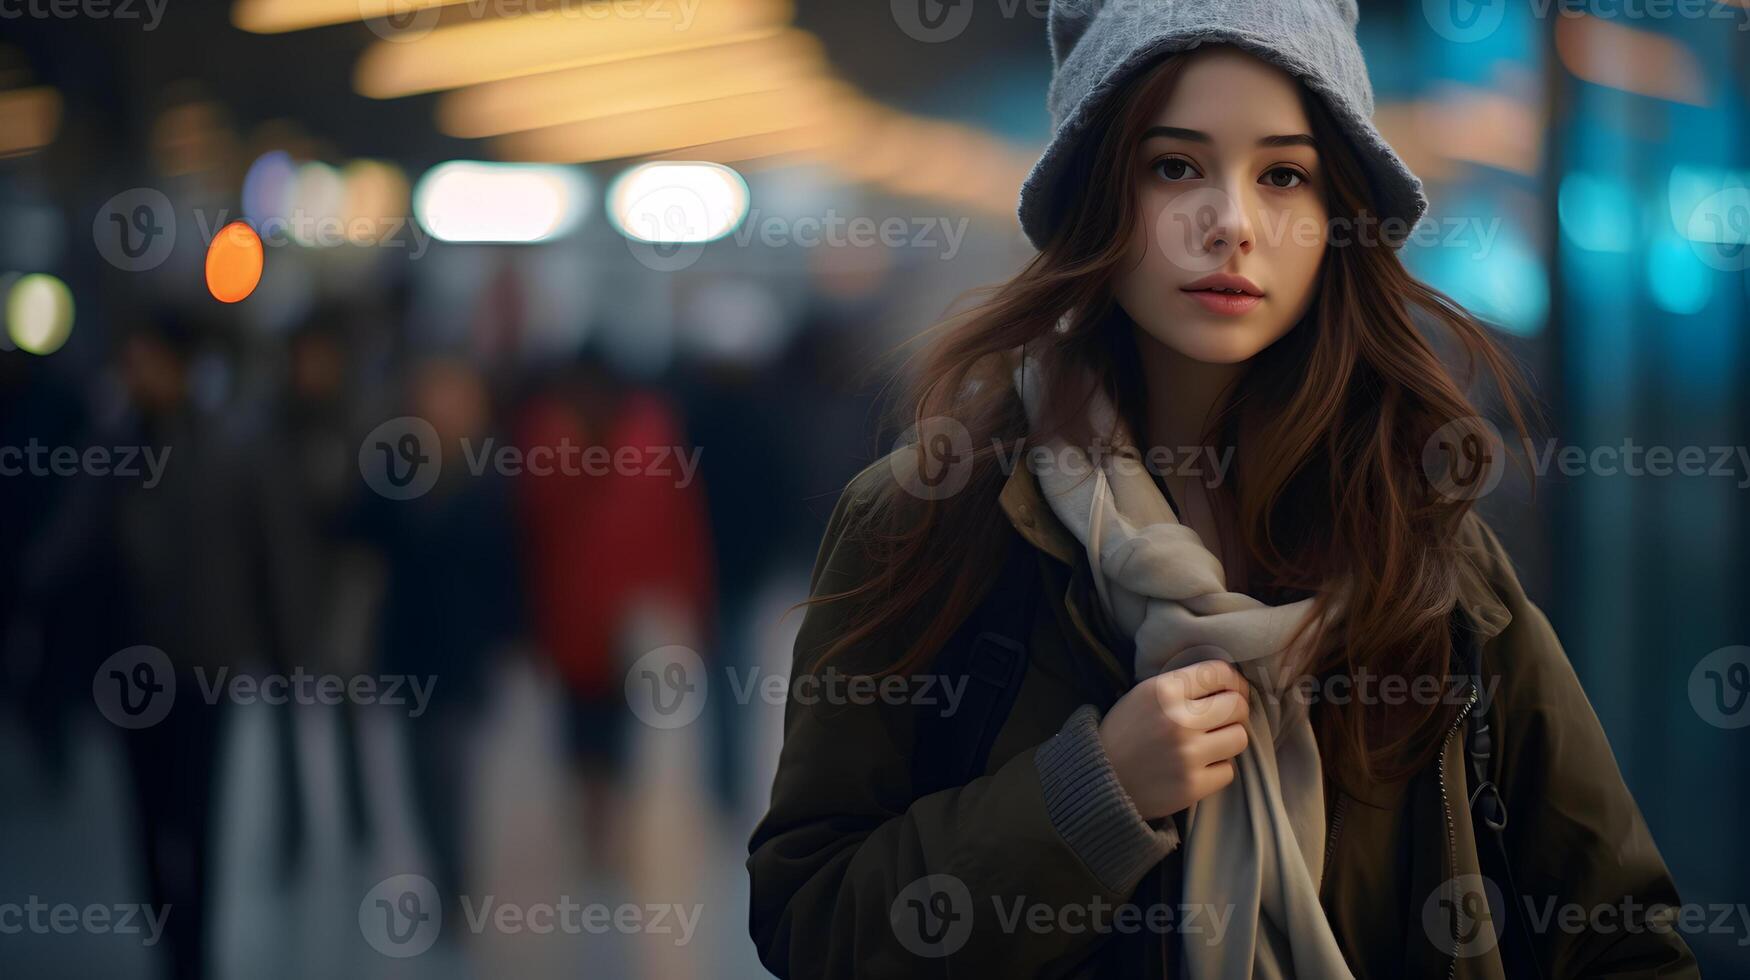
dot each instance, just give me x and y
(613, 531)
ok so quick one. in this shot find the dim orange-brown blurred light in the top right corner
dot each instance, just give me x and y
(1632, 60)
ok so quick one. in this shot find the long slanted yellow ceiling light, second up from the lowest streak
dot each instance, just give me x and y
(633, 85)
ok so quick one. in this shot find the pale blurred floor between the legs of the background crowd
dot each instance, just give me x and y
(74, 848)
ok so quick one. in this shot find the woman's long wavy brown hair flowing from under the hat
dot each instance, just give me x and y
(1327, 424)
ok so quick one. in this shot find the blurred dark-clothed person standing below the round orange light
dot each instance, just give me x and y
(207, 575)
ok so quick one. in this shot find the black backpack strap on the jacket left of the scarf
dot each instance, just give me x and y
(990, 657)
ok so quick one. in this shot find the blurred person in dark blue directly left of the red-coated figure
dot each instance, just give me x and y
(452, 601)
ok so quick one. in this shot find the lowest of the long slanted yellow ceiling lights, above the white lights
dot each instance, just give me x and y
(676, 127)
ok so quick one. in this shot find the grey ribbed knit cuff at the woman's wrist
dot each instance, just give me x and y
(1091, 809)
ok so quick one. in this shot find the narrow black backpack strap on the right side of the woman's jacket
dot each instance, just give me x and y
(1488, 813)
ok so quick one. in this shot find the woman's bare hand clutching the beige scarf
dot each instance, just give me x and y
(1173, 736)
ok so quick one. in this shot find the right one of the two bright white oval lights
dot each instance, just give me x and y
(678, 202)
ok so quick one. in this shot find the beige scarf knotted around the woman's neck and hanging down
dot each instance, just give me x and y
(1256, 850)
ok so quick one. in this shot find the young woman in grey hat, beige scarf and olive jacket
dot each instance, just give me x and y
(1238, 731)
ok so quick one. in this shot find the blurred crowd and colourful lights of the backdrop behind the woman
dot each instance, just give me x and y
(389, 389)
